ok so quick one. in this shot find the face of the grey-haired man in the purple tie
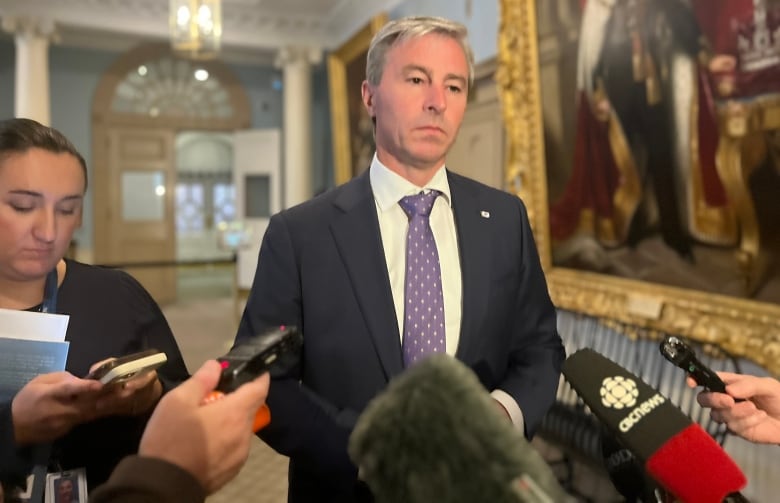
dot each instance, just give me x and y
(419, 102)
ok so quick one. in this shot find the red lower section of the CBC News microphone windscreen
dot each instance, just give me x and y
(693, 467)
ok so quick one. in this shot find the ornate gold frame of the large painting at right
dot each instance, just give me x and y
(746, 328)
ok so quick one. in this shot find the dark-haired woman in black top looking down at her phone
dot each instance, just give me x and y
(84, 423)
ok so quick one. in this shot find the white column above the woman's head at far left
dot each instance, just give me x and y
(32, 67)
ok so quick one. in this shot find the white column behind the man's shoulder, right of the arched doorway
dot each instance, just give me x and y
(296, 64)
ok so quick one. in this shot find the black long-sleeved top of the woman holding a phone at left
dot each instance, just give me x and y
(111, 314)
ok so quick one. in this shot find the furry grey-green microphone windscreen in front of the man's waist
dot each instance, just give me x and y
(436, 434)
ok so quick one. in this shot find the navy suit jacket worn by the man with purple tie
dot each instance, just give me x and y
(322, 267)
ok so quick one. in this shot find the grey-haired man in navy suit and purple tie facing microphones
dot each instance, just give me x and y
(336, 267)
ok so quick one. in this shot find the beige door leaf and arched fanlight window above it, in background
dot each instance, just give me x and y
(141, 103)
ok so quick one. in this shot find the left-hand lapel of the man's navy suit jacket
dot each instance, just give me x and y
(358, 239)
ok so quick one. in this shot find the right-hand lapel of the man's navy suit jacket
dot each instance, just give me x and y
(473, 233)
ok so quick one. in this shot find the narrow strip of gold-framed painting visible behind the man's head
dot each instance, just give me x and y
(350, 124)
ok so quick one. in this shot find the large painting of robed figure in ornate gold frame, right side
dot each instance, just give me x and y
(648, 164)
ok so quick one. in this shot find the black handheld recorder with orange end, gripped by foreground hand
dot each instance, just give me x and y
(276, 348)
